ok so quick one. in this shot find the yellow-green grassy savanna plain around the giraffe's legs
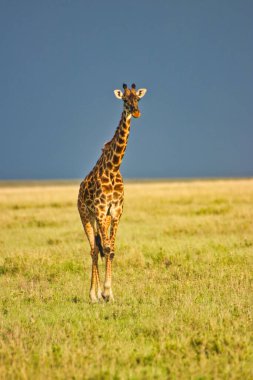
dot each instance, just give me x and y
(182, 281)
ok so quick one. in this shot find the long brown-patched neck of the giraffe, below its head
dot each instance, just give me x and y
(114, 150)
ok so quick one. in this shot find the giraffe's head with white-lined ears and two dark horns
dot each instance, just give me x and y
(131, 99)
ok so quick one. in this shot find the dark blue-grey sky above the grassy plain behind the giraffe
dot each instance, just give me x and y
(61, 61)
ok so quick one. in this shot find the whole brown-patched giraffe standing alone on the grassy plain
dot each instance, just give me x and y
(101, 195)
